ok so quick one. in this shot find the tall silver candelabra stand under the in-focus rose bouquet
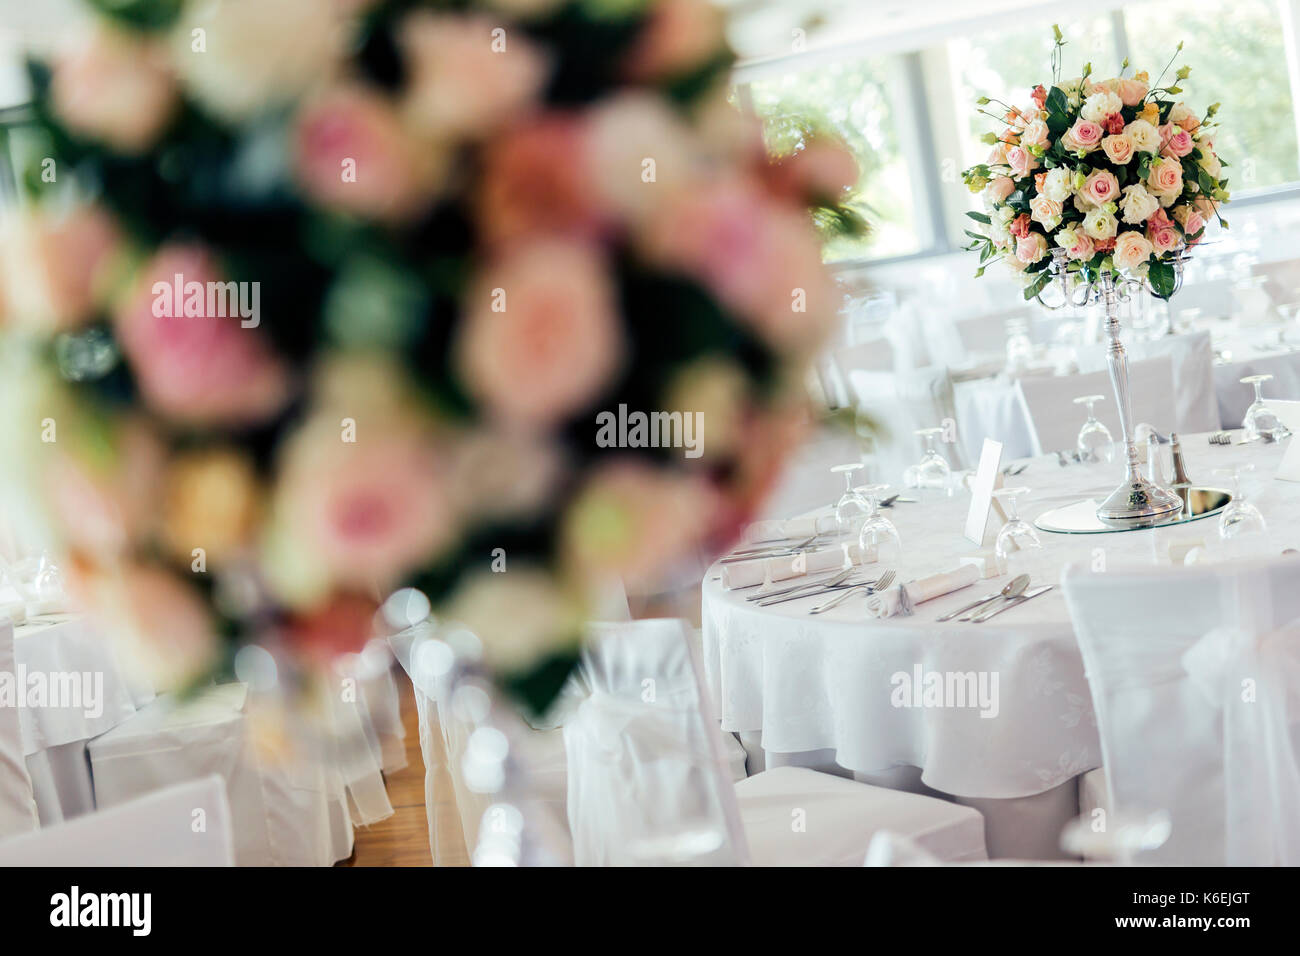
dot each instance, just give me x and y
(1138, 503)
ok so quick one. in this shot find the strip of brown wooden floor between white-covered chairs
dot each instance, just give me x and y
(404, 838)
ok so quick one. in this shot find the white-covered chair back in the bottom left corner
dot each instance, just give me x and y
(187, 825)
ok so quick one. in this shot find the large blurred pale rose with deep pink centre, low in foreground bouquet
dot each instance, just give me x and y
(366, 513)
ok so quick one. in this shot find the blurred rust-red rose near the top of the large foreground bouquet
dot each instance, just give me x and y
(538, 179)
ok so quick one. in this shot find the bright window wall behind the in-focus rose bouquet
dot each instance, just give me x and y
(912, 118)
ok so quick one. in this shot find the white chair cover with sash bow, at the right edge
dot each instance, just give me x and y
(1195, 677)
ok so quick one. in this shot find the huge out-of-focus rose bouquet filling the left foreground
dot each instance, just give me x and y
(328, 300)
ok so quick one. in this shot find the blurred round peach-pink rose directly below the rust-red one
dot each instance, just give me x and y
(541, 336)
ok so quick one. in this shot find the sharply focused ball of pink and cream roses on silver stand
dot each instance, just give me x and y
(1117, 174)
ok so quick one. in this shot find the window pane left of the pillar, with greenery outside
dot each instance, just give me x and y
(855, 100)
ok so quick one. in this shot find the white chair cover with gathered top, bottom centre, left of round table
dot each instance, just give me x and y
(648, 777)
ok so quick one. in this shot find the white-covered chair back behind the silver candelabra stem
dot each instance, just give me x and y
(1050, 408)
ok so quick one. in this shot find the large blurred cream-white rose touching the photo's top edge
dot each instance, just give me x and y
(257, 55)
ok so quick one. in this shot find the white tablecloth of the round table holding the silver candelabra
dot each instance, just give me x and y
(822, 689)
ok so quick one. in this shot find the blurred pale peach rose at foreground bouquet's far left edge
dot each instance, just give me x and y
(62, 266)
